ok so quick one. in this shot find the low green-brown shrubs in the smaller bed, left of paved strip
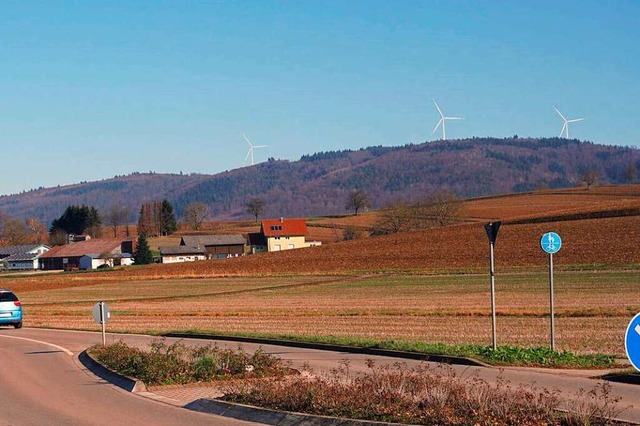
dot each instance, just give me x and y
(178, 364)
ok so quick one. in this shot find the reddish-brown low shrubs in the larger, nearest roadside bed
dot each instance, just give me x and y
(424, 395)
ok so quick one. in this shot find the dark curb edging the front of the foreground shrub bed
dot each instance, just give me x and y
(273, 417)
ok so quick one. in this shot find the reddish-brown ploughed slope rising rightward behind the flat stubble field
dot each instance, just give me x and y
(588, 222)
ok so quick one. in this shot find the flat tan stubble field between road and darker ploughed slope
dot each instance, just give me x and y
(592, 308)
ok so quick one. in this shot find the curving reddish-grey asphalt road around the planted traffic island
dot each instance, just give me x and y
(40, 382)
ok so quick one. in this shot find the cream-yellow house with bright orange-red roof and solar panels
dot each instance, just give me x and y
(280, 234)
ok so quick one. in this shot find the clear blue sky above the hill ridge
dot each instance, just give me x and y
(89, 89)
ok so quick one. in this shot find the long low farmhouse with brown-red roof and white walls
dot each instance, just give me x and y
(99, 252)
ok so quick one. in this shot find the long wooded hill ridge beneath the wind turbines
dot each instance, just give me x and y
(318, 184)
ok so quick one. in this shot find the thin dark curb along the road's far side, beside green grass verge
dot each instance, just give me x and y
(445, 359)
